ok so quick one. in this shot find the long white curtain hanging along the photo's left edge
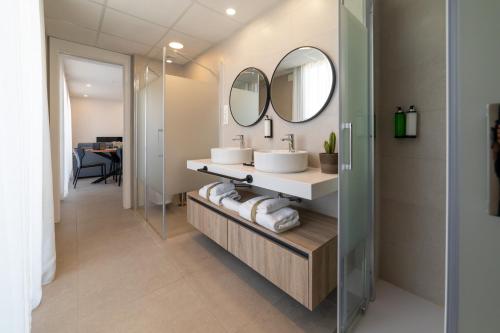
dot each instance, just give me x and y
(24, 207)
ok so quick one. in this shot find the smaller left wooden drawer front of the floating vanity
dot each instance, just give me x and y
(208, 222)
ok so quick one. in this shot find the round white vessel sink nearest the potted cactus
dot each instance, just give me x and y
(280, 161)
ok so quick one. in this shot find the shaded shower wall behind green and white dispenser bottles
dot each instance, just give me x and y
(411, 69)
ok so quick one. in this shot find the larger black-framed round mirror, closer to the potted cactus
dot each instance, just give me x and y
(302, 84)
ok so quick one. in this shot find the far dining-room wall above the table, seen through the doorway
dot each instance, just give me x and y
(93, 117)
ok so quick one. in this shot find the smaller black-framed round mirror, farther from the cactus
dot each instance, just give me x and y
(249, 96)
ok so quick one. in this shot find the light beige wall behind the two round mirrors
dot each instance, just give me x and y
(262, 44)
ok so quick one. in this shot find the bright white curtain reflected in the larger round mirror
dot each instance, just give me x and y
(311, 85)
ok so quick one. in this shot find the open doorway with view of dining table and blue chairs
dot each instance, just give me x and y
(92, 123)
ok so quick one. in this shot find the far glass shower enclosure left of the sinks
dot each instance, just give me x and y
(162, 178)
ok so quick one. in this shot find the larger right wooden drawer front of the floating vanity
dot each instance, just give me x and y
(279, 265)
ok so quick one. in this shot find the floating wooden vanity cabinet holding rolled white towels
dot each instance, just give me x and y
(302, 262)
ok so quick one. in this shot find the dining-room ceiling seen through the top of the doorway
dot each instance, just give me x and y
(106, 80)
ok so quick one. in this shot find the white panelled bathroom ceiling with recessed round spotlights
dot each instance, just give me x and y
(145, 26)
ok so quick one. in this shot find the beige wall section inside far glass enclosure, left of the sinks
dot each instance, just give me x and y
(186, 139)
